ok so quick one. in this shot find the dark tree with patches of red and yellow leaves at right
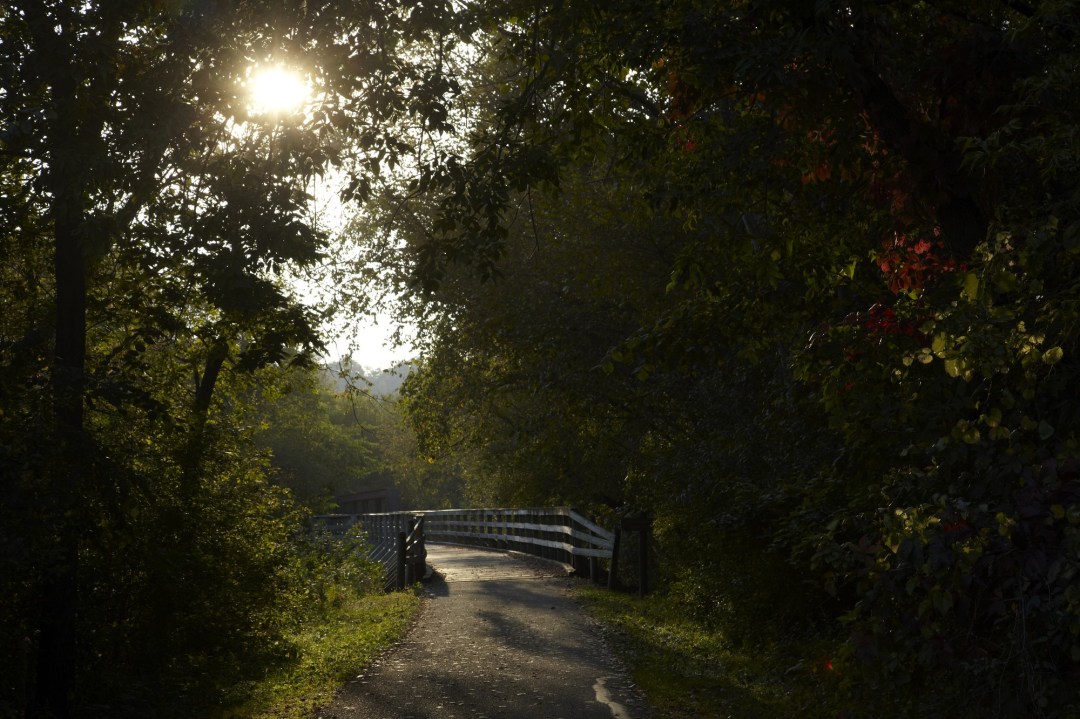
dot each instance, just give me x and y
(876, 194)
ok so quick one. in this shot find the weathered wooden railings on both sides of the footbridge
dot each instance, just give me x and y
(560, 535)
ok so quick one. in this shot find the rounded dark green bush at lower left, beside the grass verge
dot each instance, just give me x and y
(228, 551)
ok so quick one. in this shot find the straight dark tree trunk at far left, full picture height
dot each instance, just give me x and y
(66, 177)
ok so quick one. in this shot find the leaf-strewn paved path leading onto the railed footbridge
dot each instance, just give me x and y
(499, 637)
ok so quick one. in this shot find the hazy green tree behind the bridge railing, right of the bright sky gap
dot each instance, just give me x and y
(510, 382)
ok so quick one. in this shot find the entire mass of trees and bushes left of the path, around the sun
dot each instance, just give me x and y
(148, 219)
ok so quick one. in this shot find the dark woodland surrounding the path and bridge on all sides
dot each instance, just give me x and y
(795, 280)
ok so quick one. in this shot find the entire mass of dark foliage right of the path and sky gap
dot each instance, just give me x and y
(865, 223)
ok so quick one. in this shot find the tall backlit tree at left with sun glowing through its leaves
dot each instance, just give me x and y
(165, 209)
